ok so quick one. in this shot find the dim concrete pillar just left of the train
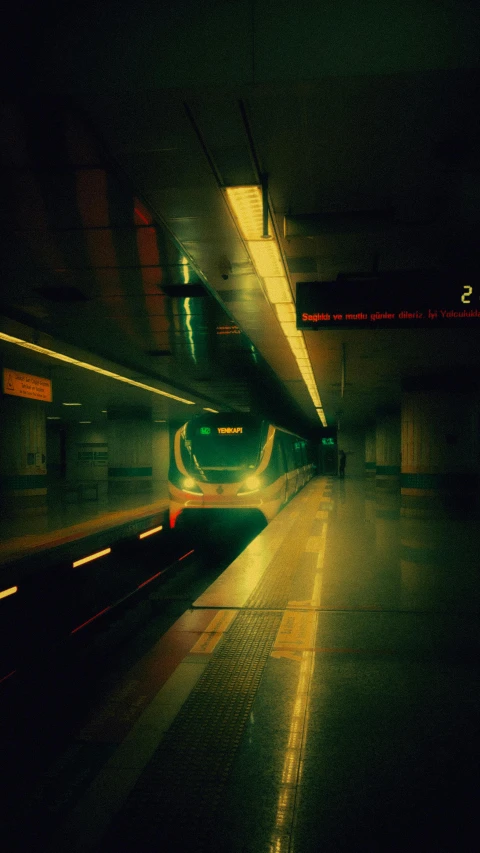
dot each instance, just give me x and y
(130, 450)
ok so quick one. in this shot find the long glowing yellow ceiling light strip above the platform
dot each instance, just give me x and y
(246, 203)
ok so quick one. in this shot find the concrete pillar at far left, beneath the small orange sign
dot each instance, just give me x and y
(23, 461)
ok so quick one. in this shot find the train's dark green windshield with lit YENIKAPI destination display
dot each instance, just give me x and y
(227, 446)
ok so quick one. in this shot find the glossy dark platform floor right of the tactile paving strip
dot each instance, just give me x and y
(366, 738)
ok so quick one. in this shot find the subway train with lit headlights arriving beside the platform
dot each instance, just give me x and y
(224, 466)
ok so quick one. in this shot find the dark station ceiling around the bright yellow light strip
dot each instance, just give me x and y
(122, 127)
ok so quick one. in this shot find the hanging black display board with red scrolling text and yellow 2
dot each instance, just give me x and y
(390, 302)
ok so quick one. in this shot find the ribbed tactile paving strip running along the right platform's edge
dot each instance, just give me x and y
(172, 784)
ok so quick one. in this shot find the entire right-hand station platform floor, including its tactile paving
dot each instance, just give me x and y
(321, 695)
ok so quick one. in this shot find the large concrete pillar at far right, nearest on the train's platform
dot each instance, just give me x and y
(439, 453)
